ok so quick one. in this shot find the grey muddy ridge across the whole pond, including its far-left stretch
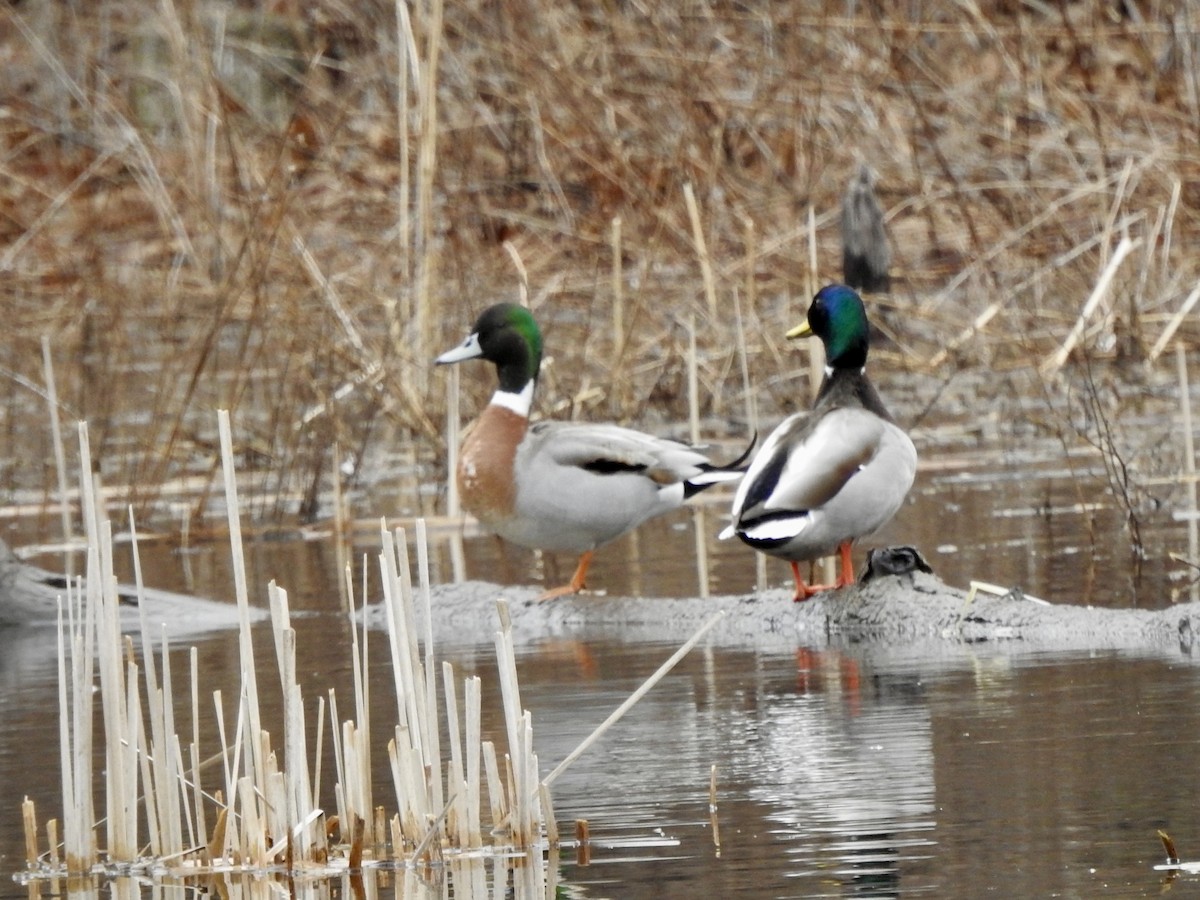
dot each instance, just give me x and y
(914, 611)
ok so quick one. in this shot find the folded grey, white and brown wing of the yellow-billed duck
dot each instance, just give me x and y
(808, 460)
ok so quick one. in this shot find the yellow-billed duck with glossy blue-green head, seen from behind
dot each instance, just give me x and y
(835, 475)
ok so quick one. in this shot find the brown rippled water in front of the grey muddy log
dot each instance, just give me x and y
(857, 771)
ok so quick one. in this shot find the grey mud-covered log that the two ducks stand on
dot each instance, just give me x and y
(915, 609)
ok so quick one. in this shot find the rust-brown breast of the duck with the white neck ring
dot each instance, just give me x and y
(487, 482)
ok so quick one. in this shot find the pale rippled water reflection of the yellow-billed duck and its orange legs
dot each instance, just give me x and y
(853, 777)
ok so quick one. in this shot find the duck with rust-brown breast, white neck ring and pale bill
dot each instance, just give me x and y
(562, 487)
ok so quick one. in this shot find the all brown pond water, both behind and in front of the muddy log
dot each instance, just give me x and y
(842, 771)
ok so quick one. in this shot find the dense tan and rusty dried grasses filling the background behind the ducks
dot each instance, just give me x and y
(289, 209)
